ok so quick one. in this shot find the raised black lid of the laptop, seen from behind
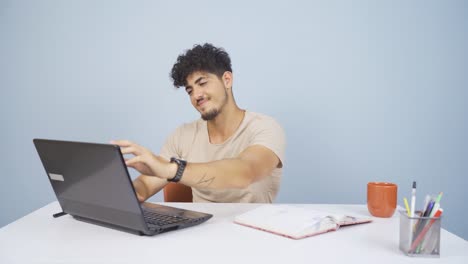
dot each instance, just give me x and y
(91, 180)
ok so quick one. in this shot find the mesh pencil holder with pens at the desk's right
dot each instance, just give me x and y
(420, 236)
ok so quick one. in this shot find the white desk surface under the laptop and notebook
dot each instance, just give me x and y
(39, 238)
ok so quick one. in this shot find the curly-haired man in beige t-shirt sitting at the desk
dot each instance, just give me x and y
(229, 155)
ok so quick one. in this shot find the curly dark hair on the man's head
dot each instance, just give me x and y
(206, 57)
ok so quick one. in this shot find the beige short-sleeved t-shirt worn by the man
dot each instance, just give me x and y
(191, 143)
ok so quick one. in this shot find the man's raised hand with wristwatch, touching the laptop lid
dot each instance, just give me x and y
(144, 160)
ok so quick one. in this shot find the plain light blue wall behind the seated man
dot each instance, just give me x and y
(365, 90)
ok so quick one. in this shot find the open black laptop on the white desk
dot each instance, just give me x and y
(92, 184)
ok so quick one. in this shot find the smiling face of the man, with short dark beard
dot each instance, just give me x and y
(207, 93)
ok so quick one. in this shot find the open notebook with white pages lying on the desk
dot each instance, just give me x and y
(294, 221)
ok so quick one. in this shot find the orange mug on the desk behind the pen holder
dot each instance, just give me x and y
(381, 198)
